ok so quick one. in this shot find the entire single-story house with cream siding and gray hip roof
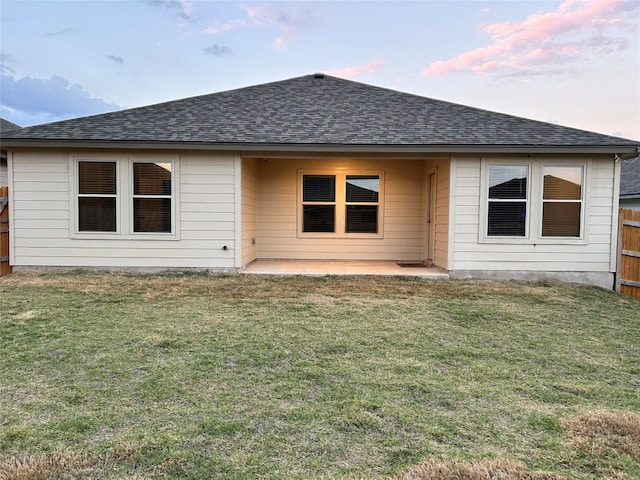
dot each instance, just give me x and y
(316, 168)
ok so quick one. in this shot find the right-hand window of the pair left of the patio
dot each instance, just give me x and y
(152, 197)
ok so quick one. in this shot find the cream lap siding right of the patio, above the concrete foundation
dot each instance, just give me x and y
(593, 255)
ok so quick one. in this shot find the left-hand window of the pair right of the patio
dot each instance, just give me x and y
(507, 209)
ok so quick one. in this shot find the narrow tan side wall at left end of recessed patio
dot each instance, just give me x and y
(249, 210)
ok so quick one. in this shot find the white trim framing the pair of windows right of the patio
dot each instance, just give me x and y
(533, 223)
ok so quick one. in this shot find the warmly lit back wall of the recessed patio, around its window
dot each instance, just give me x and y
(403, 209)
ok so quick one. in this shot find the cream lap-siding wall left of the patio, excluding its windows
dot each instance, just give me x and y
(42, 206)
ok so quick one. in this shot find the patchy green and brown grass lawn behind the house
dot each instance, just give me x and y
(124, 376)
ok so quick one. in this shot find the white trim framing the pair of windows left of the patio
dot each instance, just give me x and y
(124, 196)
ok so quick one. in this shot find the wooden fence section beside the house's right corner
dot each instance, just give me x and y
(628, 276)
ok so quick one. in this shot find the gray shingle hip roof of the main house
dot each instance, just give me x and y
(314, 110)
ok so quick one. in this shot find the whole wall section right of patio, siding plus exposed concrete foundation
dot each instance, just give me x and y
(588, 259)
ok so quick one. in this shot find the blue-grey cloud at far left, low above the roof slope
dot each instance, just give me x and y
(54, 97)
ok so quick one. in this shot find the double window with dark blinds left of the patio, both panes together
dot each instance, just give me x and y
(124, 196)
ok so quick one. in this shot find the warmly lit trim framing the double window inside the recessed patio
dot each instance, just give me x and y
(341, 204)
